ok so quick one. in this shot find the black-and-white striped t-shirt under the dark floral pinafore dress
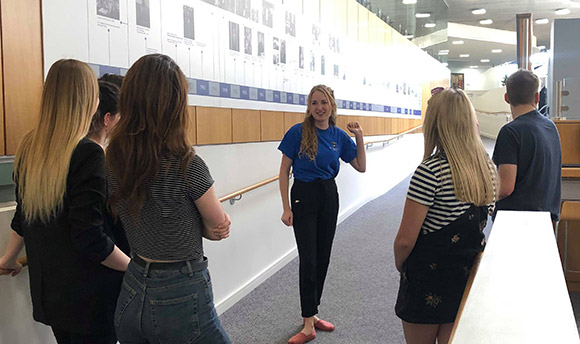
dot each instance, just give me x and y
(431, 185)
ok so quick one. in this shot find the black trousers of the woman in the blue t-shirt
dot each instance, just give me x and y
(314, 209)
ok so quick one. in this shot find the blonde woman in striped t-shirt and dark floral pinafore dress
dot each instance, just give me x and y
(445, 212)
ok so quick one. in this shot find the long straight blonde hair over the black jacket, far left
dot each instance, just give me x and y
(69, 99)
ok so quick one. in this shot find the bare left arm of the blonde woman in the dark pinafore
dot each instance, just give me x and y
(413, 218)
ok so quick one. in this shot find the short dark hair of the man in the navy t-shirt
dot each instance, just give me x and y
(522, 87)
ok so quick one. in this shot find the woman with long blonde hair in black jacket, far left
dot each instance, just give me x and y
(74, 266)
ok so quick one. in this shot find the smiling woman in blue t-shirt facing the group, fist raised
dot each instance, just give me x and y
(313, 148)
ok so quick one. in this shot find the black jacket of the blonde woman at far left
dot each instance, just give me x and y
(71, 290)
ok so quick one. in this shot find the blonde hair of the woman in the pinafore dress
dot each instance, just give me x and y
(450, 127)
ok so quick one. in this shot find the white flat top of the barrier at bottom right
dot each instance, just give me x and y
(519, 294)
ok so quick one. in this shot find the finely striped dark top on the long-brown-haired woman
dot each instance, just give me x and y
(170, 225)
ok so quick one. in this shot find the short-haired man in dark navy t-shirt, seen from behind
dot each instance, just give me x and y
(527, 152)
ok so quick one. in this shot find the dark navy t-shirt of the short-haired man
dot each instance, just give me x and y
(531, 142)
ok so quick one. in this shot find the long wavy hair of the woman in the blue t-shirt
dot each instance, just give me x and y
(309, 144)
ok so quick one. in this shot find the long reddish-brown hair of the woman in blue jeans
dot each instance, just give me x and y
(154, 121)
